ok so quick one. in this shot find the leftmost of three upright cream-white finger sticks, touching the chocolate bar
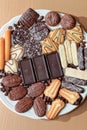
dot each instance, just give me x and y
(62, 54)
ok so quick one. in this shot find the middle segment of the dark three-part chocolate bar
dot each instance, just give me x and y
(40, 68)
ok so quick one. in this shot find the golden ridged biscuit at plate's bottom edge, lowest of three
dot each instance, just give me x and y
(55, 108)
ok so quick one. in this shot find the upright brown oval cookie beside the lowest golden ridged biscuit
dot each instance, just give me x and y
(39, 107)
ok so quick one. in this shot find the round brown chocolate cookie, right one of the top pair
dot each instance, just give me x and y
(68, 21)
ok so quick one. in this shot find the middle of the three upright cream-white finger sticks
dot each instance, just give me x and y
(67, 46)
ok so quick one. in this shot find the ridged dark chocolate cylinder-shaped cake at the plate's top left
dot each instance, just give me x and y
(28, 18)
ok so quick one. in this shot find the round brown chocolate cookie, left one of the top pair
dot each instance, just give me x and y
(52, 18)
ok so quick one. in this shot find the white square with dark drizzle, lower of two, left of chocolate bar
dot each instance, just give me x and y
(11, 66)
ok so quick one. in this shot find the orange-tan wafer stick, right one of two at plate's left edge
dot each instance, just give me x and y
(7, 44)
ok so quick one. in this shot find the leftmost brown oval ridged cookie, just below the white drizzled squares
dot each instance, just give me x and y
(11, 80)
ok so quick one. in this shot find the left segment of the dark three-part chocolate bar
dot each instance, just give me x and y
(27, 71)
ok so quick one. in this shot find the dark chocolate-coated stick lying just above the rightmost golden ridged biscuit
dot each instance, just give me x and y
(72, 87)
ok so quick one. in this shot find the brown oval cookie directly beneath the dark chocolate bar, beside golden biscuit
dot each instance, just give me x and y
(36, 89)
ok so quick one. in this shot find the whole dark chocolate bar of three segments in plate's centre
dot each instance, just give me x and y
(41, 68)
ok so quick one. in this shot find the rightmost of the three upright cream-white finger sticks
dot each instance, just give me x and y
(74, 53)
